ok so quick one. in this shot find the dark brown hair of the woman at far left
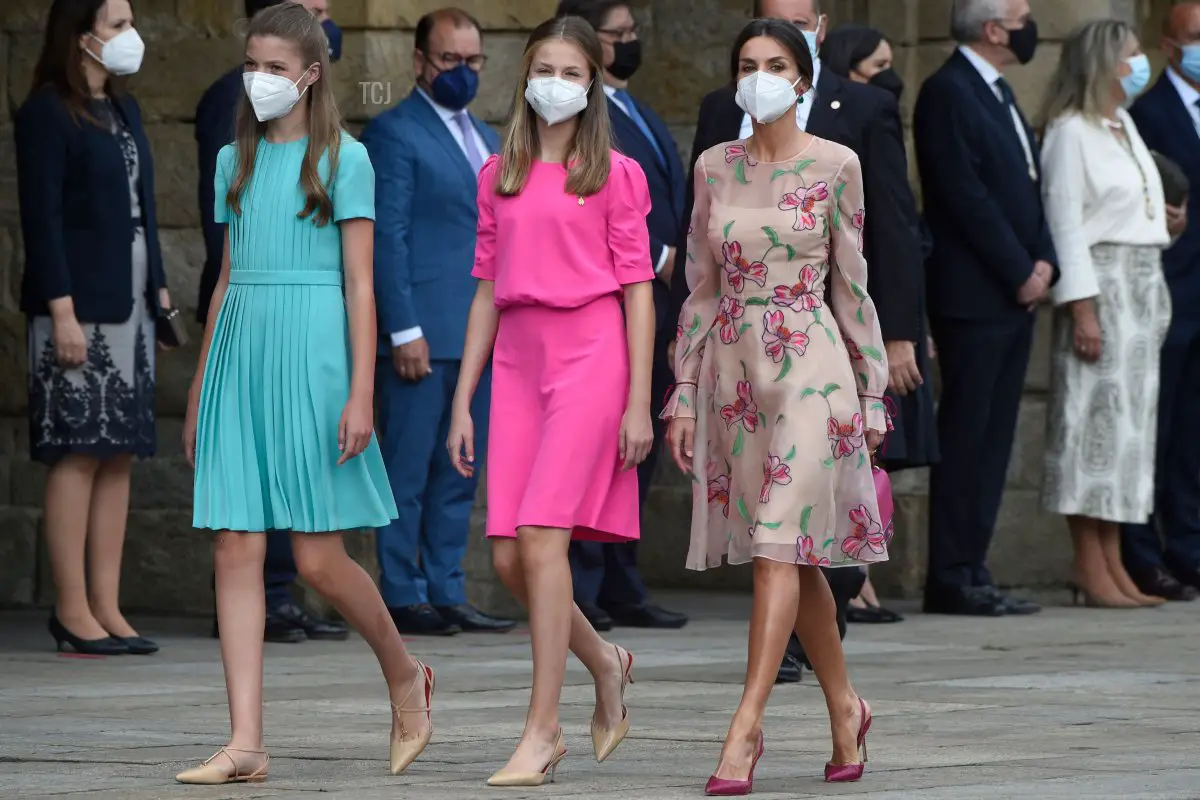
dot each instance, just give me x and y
(61, 64)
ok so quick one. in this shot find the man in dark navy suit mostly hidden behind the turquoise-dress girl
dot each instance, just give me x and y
(287, 622)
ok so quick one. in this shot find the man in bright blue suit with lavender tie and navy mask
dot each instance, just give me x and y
(428, 153)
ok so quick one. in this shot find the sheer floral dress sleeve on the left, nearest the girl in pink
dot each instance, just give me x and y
(700, 311)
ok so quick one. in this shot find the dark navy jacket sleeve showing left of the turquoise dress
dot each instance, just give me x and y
(215, 118)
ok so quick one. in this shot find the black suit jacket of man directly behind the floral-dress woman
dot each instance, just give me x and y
(867, 121)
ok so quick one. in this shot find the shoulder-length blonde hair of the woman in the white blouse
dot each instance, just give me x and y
(1083, 82)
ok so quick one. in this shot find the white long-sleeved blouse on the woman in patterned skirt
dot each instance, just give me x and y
(1096, 193)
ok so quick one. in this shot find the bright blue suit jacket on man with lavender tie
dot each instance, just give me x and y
(427, 215)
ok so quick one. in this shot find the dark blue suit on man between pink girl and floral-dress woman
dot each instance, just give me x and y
(608, 574)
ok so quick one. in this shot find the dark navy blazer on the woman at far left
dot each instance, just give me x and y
(76, 214)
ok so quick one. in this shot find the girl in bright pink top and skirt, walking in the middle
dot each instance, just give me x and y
(562, 246)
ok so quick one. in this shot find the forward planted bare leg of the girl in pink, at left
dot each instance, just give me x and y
(548, 576)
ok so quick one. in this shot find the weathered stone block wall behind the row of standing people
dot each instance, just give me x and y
(191, 43)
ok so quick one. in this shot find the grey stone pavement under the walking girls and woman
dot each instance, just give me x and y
(1077, 705)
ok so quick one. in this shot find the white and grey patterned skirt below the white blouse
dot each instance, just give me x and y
(1102, 417)
